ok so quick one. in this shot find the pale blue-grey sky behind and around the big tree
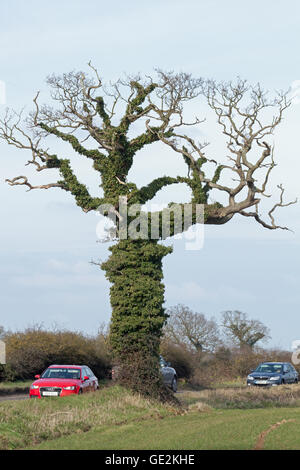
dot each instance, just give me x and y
(47, 243)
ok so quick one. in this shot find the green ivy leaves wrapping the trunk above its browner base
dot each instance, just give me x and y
(134, 270)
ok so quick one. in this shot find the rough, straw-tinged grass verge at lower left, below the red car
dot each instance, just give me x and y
(29, 422)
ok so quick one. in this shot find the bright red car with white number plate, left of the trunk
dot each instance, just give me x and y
(63, 380)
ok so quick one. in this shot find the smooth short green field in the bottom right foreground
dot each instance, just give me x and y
(215, 430)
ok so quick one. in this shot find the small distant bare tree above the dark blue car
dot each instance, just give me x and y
(242, 331)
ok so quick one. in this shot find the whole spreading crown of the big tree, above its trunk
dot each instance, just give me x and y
(85, 110)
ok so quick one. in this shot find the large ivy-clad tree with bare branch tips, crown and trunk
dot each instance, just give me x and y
(108, 127)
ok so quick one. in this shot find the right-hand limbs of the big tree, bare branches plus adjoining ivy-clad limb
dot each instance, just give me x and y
(241, 111)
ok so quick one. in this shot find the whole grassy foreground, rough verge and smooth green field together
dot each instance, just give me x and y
(113, 418)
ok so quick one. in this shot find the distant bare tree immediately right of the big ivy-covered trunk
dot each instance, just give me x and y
(191, 328)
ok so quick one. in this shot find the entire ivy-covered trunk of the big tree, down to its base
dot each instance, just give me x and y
(134, 270)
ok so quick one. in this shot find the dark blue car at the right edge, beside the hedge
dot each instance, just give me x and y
(273, 373)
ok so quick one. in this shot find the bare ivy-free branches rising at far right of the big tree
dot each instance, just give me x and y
(244, 126)
